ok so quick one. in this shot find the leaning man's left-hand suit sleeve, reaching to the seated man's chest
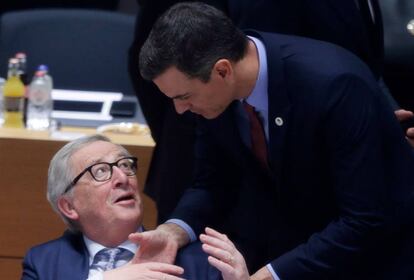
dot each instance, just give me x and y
(213, 186)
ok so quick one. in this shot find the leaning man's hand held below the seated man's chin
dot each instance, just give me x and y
(160, 245)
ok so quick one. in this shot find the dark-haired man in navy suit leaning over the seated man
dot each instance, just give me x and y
(326, 180)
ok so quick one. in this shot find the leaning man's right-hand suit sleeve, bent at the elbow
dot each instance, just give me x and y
(366, 152)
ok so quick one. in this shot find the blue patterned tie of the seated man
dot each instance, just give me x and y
(110, 258)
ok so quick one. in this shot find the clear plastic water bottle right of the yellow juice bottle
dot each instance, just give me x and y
(40, 104)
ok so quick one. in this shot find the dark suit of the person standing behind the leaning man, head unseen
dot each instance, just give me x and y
(338, 22)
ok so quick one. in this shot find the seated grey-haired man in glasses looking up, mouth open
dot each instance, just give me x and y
(93, 187)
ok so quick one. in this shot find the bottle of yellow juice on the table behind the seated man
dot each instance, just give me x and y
(13, 97)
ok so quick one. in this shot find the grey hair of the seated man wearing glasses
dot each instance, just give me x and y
(61, 173)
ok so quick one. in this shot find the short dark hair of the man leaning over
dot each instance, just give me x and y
(191, 36)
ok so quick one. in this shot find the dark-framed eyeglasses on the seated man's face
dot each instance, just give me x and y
(102, 171)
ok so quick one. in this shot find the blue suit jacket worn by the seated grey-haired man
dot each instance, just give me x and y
(67, 258)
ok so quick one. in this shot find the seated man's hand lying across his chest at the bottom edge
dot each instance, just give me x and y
(144, 271)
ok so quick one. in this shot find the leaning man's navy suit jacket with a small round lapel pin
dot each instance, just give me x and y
(332, 205)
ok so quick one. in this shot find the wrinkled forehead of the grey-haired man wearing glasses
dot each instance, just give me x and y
(99, 151)
